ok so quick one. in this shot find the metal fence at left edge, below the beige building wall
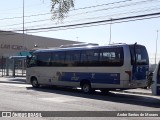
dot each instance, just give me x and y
(12, 66)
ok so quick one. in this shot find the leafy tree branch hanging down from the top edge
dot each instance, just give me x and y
(60, 8)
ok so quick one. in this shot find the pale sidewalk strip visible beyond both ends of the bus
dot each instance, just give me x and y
(22, 80)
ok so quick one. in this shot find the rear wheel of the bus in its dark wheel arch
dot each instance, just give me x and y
(86, 86)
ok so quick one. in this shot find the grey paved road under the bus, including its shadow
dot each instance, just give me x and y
(22, 97)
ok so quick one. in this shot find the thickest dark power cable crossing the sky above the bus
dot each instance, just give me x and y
(90, 24)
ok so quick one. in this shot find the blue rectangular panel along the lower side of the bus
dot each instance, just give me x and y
(105, 78)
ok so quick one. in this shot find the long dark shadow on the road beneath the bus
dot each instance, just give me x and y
(117, 97)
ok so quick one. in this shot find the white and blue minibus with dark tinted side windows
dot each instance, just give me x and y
(90, 67)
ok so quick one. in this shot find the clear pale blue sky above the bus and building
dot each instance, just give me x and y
(37, 15)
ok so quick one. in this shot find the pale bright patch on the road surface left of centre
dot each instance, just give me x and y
(58, 99)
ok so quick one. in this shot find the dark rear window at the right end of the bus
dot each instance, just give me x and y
(139, 55)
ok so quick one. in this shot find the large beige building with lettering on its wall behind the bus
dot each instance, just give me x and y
(12, 43)
